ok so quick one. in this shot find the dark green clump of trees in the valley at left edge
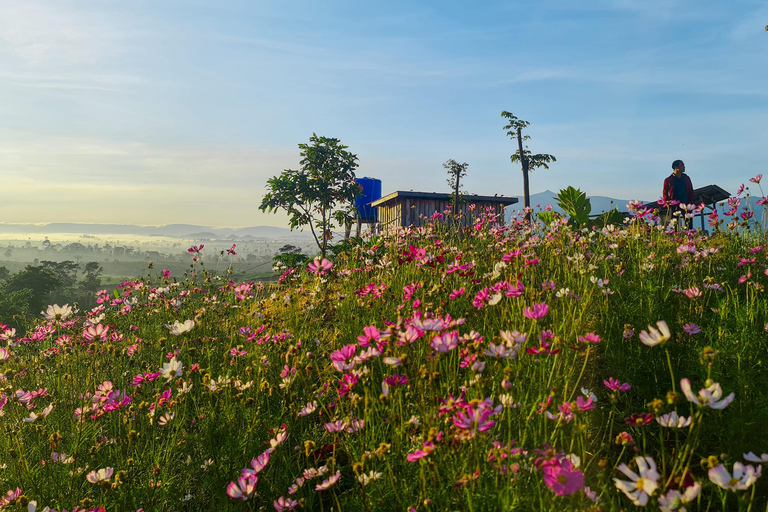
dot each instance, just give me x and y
(25, 294)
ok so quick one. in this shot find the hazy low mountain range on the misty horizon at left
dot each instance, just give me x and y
(168, 230)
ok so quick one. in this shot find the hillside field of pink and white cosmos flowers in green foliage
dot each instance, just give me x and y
(479, 368)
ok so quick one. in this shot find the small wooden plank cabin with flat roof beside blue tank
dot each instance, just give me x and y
(400, 209)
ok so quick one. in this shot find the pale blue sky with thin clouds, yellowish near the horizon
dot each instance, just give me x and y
(159, 112)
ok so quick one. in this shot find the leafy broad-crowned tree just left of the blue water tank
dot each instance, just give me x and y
(321, 194)
